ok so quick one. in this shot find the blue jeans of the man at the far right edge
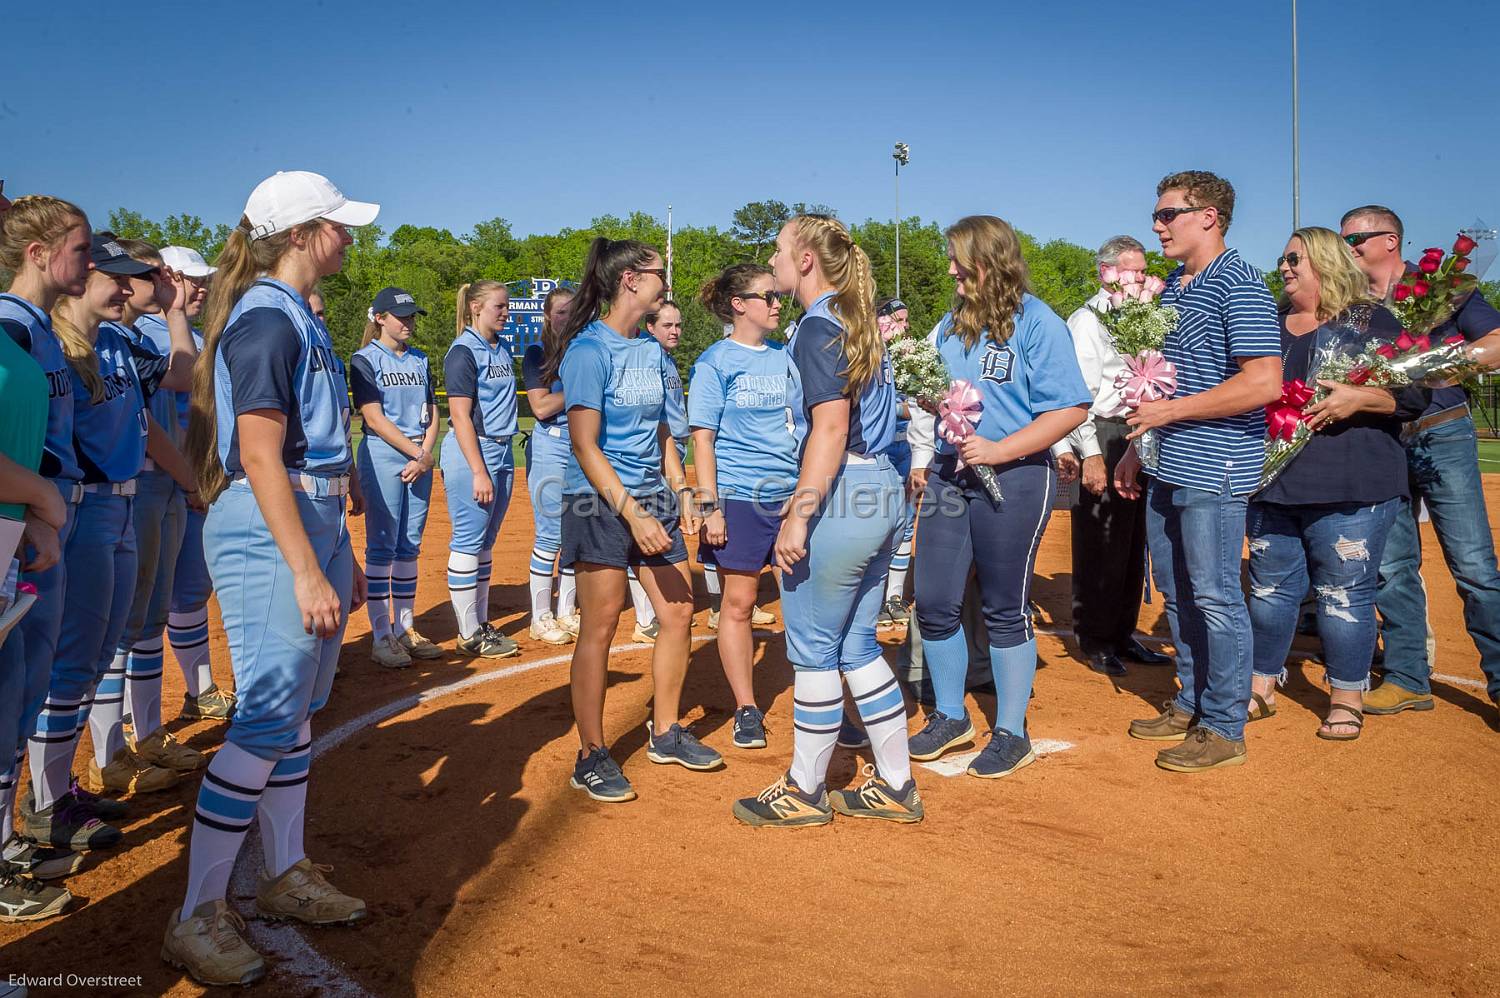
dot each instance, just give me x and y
(1445, 472)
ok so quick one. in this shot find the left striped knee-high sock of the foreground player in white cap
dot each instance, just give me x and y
(227, 804)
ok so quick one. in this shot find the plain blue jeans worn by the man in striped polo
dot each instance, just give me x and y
(1196, 540)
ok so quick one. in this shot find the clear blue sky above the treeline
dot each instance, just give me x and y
(1060, 118)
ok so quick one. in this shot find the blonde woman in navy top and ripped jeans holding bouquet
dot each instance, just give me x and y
(1324, 522)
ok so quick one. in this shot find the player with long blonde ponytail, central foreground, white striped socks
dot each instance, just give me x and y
(838, 537)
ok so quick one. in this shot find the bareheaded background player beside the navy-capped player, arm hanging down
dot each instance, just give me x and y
(478, 464)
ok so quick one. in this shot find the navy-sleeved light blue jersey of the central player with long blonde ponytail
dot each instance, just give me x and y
(823, 376)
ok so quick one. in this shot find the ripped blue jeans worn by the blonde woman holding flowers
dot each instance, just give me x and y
(1334, 549)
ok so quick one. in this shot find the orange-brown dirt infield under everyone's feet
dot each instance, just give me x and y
(1318, 868)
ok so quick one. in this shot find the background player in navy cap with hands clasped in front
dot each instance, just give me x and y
(394, 392)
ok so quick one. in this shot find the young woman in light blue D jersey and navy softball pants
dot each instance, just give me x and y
(1018, 356)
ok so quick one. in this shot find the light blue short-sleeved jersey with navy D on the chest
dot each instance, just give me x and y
(1036, 371)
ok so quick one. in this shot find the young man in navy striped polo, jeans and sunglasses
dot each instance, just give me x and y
(1228, 352)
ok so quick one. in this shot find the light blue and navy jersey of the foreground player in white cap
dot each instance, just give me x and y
(275, 355)
